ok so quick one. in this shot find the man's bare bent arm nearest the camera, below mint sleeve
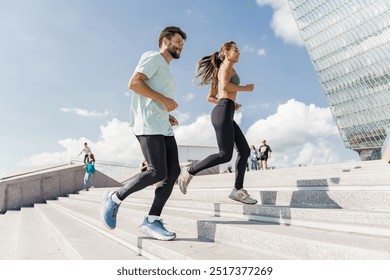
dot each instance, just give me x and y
(138, 85)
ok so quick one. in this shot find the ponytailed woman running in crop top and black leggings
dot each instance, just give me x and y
(217, 69)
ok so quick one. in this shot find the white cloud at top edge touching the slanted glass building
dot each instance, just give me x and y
(283, 22)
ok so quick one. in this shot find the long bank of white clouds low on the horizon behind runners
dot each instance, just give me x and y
(297, 133)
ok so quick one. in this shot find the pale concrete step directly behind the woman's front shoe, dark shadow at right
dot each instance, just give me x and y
(360, 198)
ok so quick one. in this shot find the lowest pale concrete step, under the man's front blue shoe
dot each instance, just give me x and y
(186, 245)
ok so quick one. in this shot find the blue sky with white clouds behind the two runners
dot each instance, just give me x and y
(65, 66)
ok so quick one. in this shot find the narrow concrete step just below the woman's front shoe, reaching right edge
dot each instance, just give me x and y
(357, 221)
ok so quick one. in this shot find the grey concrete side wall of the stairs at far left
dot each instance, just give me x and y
(24, 191)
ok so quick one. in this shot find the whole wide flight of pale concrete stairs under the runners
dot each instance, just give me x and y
(337, 211)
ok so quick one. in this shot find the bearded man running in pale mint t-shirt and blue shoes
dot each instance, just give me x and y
(153, 89)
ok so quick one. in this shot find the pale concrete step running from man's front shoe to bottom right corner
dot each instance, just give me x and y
(288, 241)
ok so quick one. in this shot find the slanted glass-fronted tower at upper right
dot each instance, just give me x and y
(348, 42)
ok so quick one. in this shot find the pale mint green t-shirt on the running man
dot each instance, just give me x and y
(149, 117)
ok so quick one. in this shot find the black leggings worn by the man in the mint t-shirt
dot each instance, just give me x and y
(163, 164)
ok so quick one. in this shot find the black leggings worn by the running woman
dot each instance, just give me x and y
(228, 135)
